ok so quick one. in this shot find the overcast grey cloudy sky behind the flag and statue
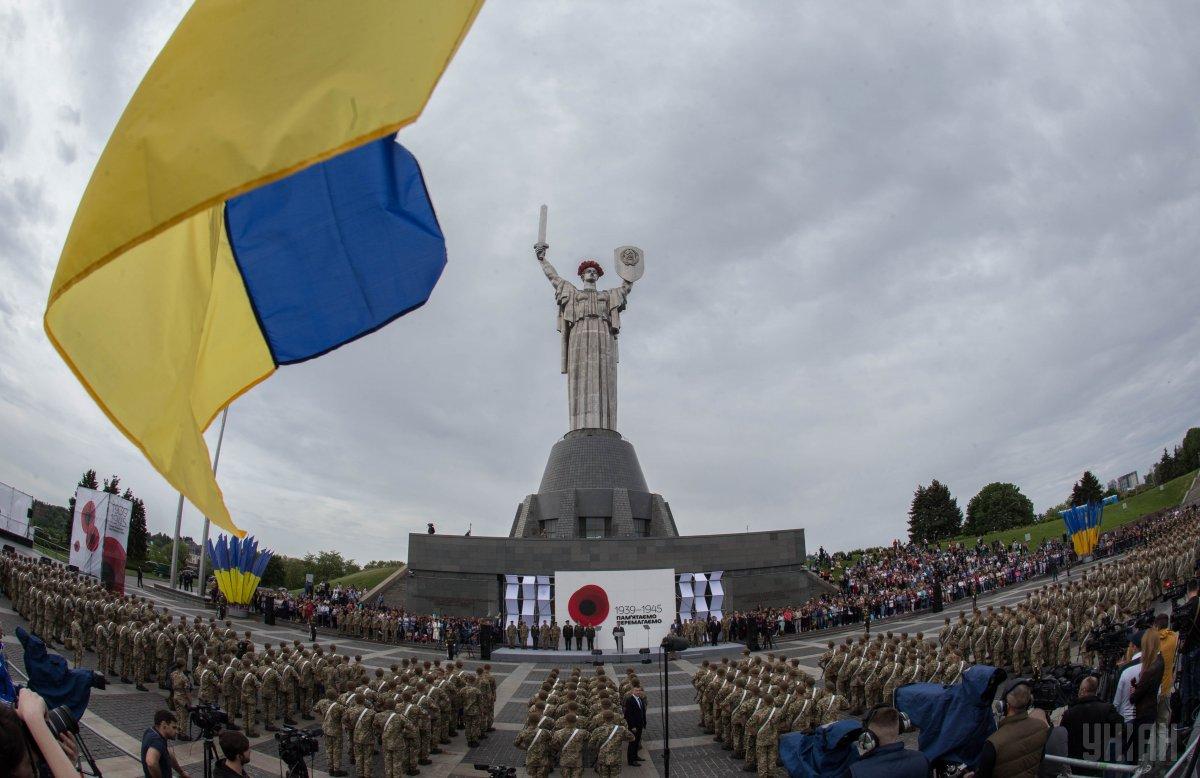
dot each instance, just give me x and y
(886, 243)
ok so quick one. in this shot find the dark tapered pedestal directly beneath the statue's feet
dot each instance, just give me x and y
(593, 488)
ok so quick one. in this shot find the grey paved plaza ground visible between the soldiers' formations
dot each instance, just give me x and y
(118, 716)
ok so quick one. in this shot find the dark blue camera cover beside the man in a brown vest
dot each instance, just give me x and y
(955, 721)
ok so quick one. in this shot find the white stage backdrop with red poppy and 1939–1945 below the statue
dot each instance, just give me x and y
(643, 602)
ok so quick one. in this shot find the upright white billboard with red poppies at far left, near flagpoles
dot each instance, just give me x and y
(100, 532)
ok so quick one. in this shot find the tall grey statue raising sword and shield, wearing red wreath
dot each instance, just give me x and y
(590, 322)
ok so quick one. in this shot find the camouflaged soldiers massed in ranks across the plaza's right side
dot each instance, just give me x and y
(748, 704)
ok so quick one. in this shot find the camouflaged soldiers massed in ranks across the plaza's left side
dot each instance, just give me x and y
(406, 713)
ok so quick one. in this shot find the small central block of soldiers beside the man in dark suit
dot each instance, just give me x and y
(575, 722)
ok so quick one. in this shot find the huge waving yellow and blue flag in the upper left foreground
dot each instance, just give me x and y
(251, 211)
